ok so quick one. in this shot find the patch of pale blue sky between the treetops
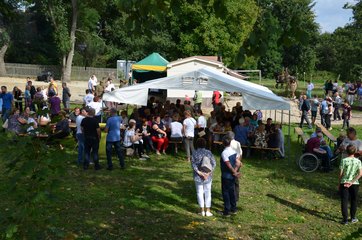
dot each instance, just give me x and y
(331, 15)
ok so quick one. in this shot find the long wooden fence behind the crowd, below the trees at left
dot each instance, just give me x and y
(78, 73)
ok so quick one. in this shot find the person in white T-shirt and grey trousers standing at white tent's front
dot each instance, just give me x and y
(189, 125)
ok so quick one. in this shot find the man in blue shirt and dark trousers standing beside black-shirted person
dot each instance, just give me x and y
(113, 128)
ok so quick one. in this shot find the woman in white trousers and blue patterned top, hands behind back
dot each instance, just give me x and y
(203, 180)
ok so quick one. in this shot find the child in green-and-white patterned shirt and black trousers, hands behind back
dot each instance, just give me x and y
(350, 172)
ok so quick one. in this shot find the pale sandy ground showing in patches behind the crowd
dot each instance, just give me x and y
(77, 89)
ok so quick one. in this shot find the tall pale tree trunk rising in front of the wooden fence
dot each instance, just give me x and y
(67, 64)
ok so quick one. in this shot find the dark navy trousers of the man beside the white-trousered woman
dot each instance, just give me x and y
(228, 195)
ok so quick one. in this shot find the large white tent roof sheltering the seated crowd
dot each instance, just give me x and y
(207, 79)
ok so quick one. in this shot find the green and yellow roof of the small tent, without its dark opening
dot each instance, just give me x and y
(153, 62)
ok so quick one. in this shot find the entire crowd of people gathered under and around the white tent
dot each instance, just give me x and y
(151, 128)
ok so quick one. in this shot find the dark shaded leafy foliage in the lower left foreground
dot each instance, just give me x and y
(33, 170)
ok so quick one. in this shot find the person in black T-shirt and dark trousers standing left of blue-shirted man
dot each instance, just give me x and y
(92, 136)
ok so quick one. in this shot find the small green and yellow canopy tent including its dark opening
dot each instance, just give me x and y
(152, 67)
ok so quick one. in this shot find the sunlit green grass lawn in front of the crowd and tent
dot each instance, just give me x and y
(156, 199)
